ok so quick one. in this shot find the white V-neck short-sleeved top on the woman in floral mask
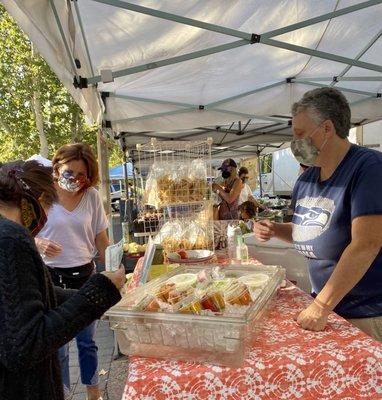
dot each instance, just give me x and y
(75, 230)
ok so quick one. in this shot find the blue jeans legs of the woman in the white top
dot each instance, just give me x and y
(87, 357)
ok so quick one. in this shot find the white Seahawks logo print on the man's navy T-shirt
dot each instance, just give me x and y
(311, 219)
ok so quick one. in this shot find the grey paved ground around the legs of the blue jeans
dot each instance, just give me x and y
(112, 371)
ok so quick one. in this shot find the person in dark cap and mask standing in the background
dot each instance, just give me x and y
(230, 191)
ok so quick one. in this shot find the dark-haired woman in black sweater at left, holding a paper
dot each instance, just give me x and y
(36, 318)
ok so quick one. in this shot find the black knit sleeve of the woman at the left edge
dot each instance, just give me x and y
(29, 331)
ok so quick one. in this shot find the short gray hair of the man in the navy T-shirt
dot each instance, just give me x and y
(323, 104)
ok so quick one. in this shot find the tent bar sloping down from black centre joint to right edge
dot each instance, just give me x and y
(320, 54)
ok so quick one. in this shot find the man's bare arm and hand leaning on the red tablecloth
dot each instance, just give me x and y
(356, 259)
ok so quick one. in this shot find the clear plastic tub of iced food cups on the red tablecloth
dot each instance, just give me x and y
(214, 338)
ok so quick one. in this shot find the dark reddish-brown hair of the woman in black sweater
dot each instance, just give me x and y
(26, 177)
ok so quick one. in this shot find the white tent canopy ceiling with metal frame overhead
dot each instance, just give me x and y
(226, 69)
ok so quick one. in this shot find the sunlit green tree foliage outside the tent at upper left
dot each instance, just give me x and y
(63, 119)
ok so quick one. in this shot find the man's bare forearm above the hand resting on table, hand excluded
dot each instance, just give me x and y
(351, 267)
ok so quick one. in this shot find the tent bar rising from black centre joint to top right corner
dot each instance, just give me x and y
(320, 18)
